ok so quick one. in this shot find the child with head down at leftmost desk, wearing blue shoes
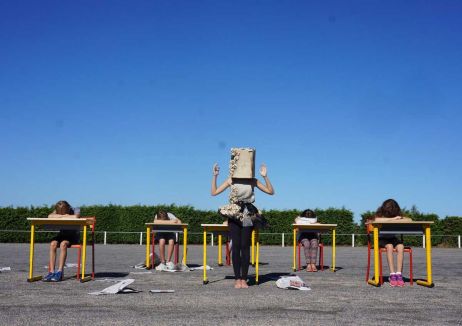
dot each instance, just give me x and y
(64, 240)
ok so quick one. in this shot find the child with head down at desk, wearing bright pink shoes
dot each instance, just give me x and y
(390, 210)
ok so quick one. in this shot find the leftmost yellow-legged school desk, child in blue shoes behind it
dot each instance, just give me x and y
(64, 224)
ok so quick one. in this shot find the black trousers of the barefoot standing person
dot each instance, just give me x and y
(241, 237)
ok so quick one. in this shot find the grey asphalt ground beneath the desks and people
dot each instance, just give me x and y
(340, 298)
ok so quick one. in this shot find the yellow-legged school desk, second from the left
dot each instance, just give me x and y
(164, 228)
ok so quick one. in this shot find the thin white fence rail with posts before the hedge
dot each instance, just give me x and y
(107, 234)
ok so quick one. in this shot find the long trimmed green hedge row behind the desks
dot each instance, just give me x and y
(114, 218)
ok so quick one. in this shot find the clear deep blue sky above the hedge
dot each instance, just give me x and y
(131, 102)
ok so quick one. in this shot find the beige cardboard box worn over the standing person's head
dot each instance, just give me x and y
(242, 164)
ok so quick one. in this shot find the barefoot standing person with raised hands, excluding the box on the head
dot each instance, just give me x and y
(242, 215)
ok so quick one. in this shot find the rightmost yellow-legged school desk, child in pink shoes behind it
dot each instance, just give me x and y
(403, 227)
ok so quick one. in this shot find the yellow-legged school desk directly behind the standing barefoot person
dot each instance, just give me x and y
(223, 229)
